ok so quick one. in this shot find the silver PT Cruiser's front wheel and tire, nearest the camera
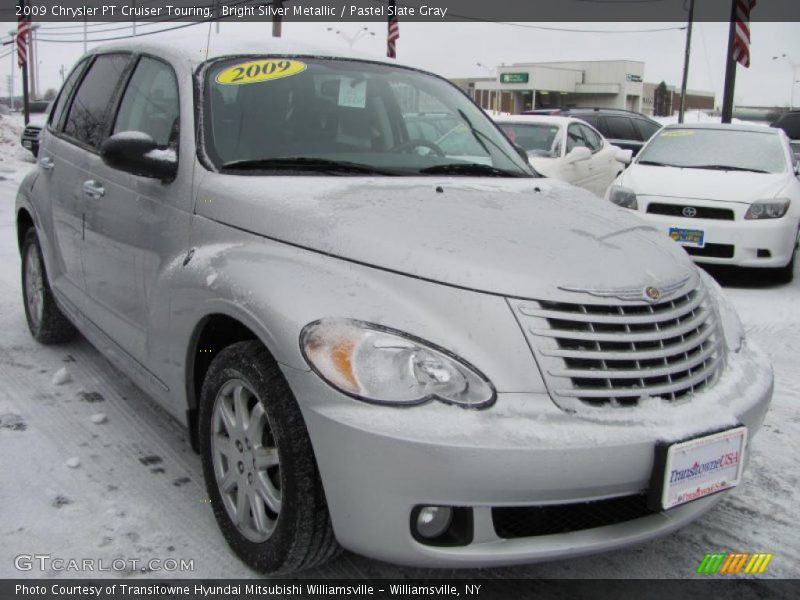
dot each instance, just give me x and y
(259, 465)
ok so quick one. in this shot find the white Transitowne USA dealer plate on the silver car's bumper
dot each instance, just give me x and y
(701, 466)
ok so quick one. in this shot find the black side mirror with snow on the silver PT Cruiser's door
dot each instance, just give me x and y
(137, 153)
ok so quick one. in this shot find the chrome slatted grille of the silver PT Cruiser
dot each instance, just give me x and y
(614, 354)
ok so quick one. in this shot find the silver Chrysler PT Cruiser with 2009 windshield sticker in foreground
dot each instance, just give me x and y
(418, 357)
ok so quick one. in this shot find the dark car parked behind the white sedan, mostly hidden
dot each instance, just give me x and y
(627, 129)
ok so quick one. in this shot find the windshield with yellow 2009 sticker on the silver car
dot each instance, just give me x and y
(345, 116)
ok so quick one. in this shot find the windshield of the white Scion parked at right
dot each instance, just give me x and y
(720, 149)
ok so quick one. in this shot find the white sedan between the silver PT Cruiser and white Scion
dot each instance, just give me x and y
(567, 149)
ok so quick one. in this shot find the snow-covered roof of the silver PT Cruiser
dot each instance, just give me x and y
(195, 51)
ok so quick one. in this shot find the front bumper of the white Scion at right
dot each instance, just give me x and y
(775, 238)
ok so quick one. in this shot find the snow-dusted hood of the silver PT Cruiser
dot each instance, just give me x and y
(515, 237)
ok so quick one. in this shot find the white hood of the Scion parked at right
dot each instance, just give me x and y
(702, 184)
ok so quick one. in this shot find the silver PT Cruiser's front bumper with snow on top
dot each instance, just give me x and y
(378, 463)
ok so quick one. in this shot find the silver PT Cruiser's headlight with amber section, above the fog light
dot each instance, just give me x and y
(383, 366)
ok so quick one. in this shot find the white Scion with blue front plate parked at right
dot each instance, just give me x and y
(729, 194)
